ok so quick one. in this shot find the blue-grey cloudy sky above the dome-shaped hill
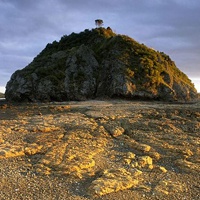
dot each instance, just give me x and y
(171, 26)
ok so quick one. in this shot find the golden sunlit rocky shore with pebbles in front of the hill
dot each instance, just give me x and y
(102, 150)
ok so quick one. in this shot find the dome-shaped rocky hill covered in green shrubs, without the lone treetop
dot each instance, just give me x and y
(99, 63)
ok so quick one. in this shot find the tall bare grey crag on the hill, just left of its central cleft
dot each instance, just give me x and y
(81, 69)
